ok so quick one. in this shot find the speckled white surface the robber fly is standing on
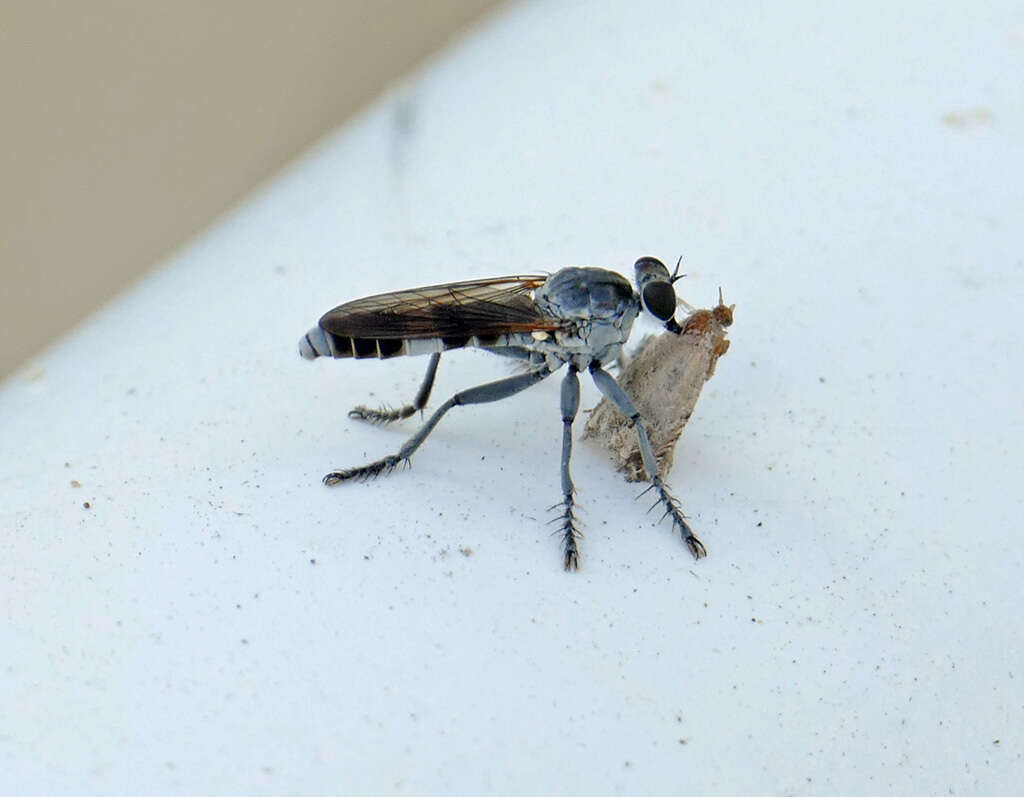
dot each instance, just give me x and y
(219, 622)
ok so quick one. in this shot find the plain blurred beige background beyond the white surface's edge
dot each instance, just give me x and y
(125, 129)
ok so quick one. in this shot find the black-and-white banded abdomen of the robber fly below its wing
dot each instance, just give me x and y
(319, 343)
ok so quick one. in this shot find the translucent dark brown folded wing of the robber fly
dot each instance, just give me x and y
(495, 307)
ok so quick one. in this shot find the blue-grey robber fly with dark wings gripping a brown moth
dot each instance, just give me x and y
(579, 317)
